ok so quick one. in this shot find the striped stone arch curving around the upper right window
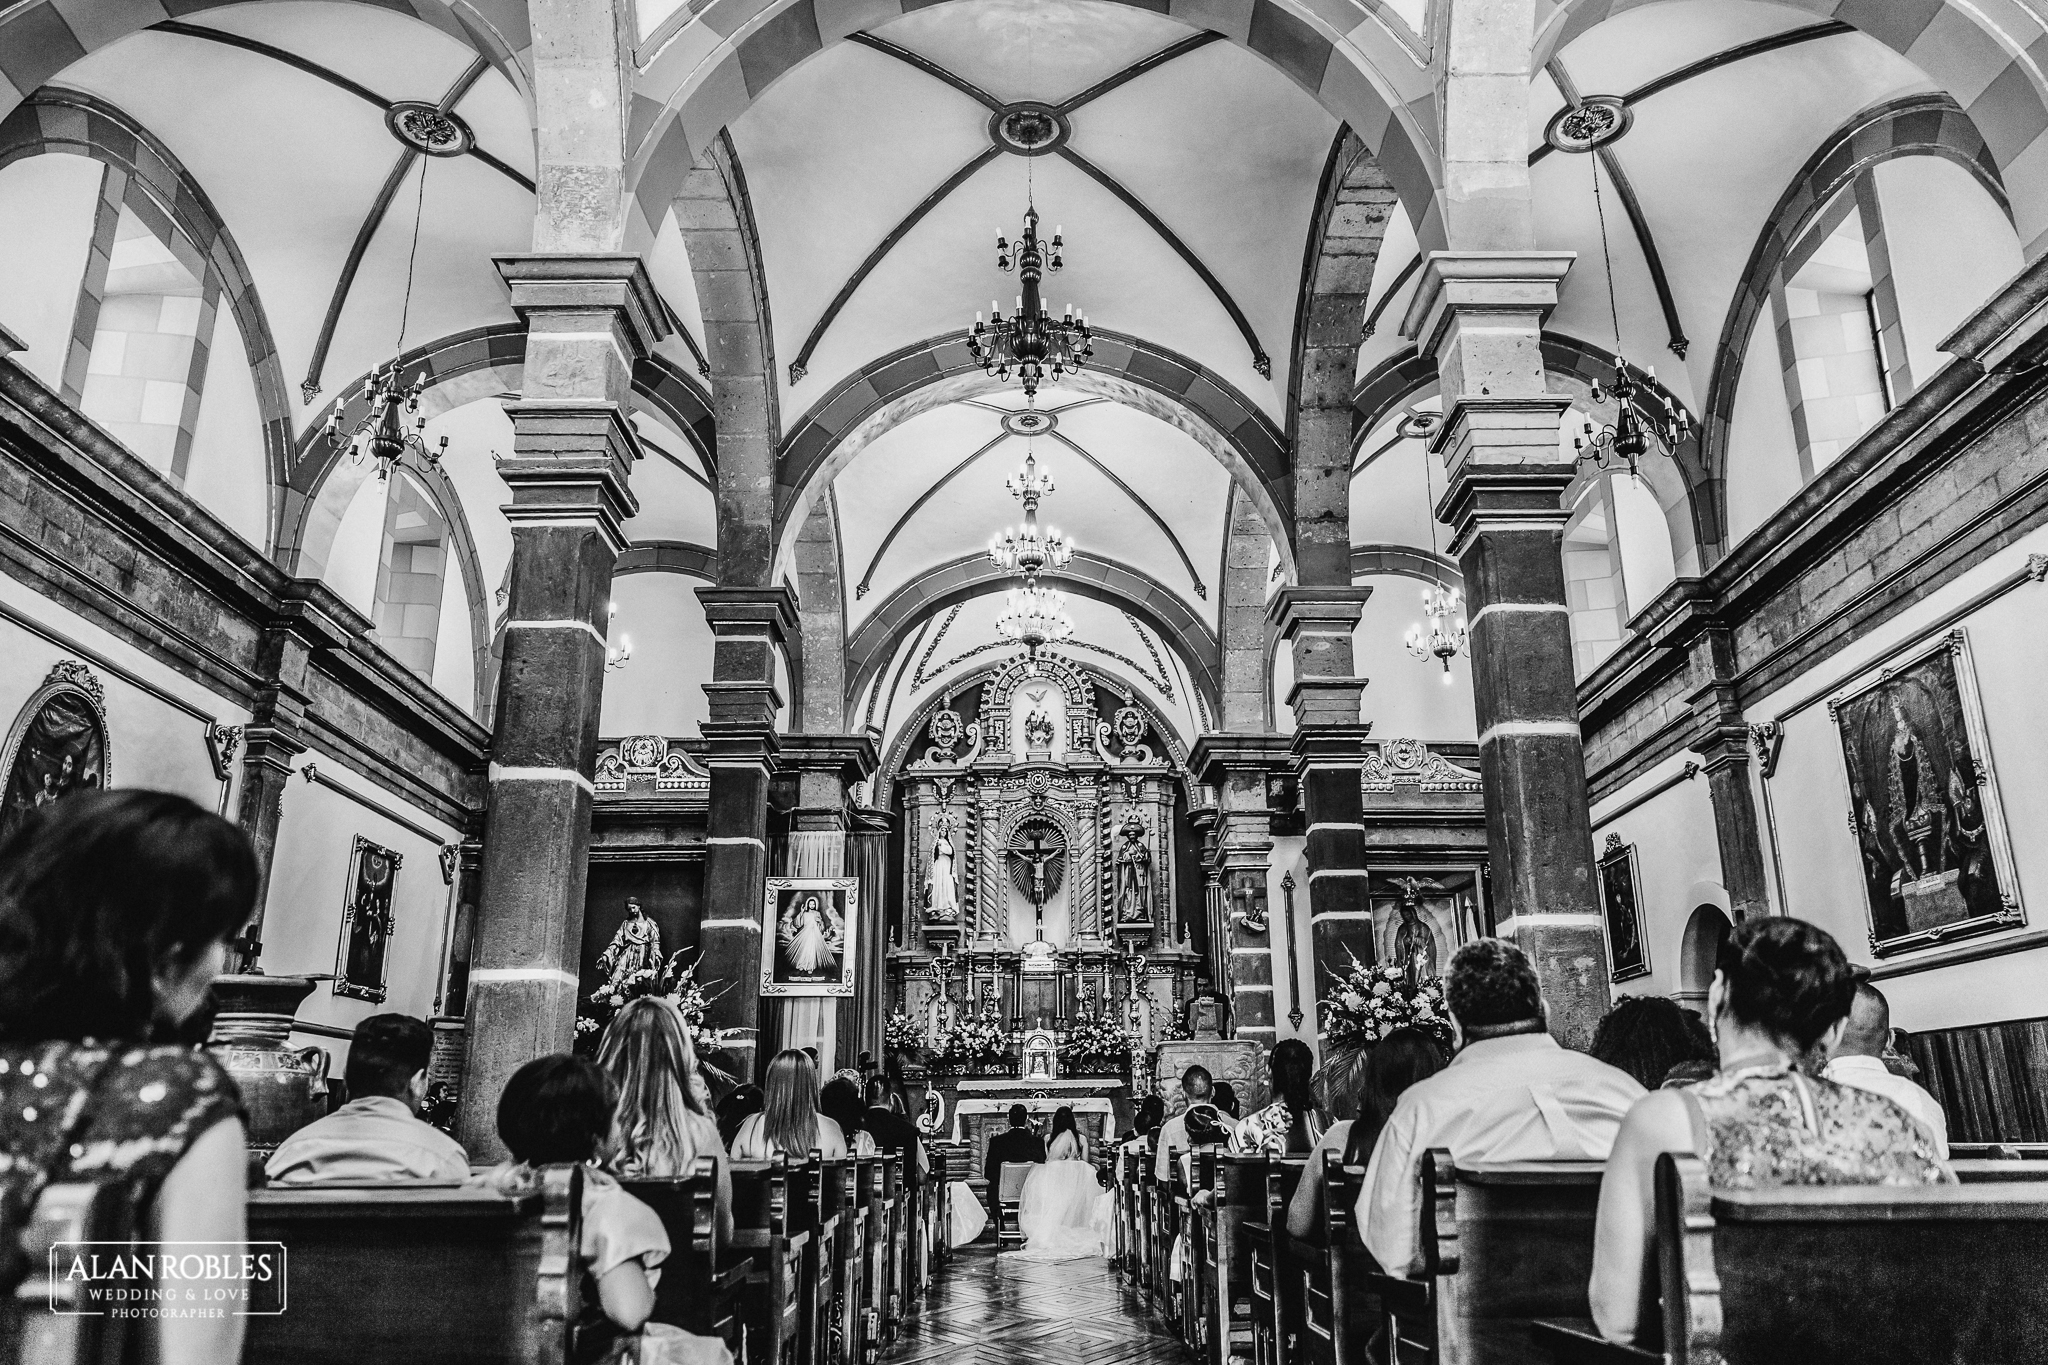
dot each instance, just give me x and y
(1914, 126)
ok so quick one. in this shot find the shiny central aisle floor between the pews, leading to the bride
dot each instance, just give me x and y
(998, 1311)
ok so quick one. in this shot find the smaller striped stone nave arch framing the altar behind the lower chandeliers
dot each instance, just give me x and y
(1101, 580)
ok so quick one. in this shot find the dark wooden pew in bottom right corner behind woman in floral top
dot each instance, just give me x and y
(1838, 1276)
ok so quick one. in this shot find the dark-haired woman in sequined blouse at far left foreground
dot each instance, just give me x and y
(116, 914)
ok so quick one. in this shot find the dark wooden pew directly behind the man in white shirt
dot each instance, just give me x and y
(1502, 1247)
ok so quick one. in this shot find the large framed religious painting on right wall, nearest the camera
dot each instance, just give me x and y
(1924, 805)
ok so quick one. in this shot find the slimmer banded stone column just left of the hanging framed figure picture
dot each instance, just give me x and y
(749, 627)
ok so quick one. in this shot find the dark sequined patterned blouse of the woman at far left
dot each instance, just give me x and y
(142, 1112)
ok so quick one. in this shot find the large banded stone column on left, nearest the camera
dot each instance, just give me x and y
(589, 318)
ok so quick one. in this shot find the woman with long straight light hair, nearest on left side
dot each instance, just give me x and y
(660, 1125)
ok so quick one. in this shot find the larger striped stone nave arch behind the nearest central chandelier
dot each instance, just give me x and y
(1132, 371)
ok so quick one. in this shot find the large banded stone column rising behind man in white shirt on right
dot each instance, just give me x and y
(1482, 316)
